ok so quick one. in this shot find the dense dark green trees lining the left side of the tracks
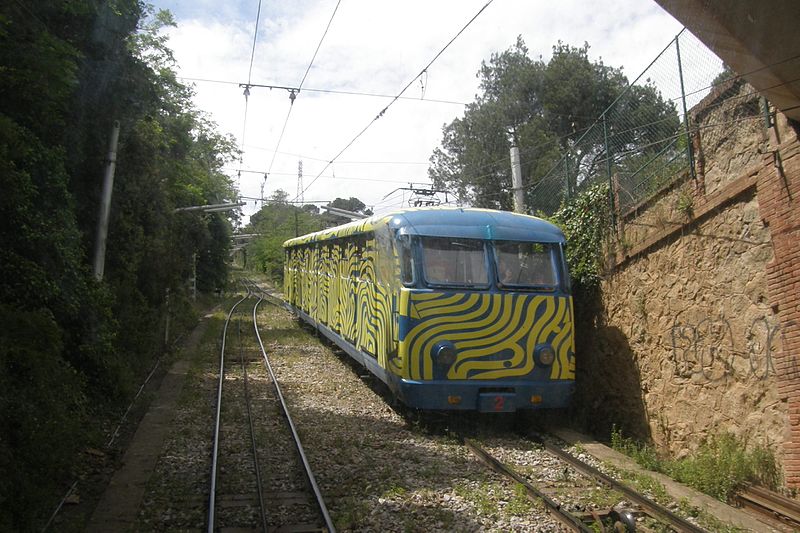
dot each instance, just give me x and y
(71, 348)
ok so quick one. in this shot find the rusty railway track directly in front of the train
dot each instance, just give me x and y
(612, 518)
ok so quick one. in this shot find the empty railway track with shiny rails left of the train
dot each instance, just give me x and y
(262, 481)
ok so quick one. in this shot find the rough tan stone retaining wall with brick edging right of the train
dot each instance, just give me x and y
(700, 316)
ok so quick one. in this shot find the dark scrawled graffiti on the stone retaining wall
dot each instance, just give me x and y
(707, 351)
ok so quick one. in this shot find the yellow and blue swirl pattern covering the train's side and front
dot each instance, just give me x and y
(495, 334)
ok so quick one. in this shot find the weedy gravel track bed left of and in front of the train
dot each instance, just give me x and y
(381, 468)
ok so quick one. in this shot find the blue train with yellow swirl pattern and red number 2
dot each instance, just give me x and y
(454, 309)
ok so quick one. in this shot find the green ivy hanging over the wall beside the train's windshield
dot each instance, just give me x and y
(585, 221)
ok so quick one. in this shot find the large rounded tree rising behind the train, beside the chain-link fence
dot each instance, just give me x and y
(548, 110)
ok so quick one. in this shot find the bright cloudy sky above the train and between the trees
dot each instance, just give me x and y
(376, 47)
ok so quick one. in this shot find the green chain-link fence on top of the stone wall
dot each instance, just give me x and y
(642, 142)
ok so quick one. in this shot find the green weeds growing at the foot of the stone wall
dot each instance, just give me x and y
(719, 468)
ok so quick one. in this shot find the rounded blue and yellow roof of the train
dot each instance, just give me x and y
(470, 223)
